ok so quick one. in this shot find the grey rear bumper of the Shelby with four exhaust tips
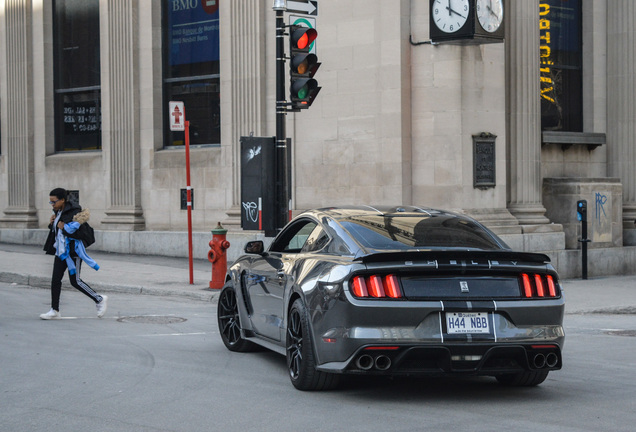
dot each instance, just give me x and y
(409, 340)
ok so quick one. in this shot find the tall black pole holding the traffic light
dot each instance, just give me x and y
(282, 194)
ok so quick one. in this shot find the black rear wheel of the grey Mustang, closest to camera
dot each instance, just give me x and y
(301, 362)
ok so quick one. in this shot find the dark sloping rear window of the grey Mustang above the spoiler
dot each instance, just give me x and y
(418, 232)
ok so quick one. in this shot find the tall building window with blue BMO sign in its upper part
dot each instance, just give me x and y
(191, 69)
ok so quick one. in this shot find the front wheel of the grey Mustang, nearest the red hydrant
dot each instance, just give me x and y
(229, 321)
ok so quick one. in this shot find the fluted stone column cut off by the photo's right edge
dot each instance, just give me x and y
(621, 97)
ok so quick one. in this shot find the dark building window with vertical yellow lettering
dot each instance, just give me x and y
(561, 65)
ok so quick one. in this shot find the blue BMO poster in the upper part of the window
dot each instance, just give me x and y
(193, 31)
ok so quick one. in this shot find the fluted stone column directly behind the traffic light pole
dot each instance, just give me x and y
(244, 78)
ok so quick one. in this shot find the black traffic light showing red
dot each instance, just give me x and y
(303, 65)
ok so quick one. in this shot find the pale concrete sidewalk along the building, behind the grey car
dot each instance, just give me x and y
(168, 276)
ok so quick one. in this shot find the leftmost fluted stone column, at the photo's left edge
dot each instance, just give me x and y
(18, 143)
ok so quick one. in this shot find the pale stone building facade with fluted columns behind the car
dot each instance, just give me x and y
(394, 123)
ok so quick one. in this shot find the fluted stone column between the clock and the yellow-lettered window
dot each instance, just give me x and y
(524, 112)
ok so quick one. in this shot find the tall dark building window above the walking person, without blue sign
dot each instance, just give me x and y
(78, 122)
